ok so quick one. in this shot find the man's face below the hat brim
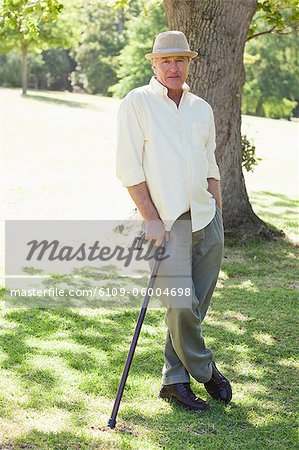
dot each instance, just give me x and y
(171, 71)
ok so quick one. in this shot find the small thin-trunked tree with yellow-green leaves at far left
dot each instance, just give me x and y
(31, 25)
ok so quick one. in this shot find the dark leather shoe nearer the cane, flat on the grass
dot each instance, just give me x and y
(183, 395)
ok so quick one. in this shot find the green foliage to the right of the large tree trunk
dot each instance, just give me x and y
(271, 57)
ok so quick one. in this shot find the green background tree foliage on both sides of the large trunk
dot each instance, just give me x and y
(103, 44)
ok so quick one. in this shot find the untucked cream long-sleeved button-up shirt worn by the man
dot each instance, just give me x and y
(171, 148)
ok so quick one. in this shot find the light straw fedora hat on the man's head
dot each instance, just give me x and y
(171, 43)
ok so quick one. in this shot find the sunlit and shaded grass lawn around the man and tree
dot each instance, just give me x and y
(60, 368)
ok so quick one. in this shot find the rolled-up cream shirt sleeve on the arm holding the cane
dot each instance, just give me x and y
(130, 143)
